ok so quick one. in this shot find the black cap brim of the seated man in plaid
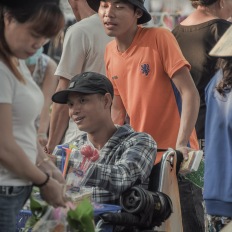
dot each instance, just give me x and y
(61, 97)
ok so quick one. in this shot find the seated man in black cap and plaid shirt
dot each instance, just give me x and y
(126, 157)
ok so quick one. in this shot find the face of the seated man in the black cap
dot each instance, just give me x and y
(88, 111)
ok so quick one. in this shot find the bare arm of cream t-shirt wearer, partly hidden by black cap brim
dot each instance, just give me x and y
(59, 119)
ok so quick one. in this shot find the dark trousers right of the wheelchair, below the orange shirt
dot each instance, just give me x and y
(192, 210)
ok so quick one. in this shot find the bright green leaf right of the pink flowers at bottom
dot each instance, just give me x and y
(81, 218)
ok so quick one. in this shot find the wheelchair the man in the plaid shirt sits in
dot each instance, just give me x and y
(152, 210)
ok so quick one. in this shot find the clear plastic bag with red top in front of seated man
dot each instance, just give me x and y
(77, 165)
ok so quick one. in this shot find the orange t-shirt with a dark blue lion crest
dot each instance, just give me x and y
(142, 77)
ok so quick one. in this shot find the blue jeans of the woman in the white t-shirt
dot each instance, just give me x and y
(11, 202)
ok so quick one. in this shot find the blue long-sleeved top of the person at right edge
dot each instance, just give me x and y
(218, 150)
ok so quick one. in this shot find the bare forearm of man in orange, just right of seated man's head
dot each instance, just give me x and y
(118, 112)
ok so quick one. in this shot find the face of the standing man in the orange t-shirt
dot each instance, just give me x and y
(119, 18)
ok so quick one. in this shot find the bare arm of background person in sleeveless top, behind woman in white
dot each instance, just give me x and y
(49, 86)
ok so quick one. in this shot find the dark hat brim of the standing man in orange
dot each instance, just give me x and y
(146, 17)
